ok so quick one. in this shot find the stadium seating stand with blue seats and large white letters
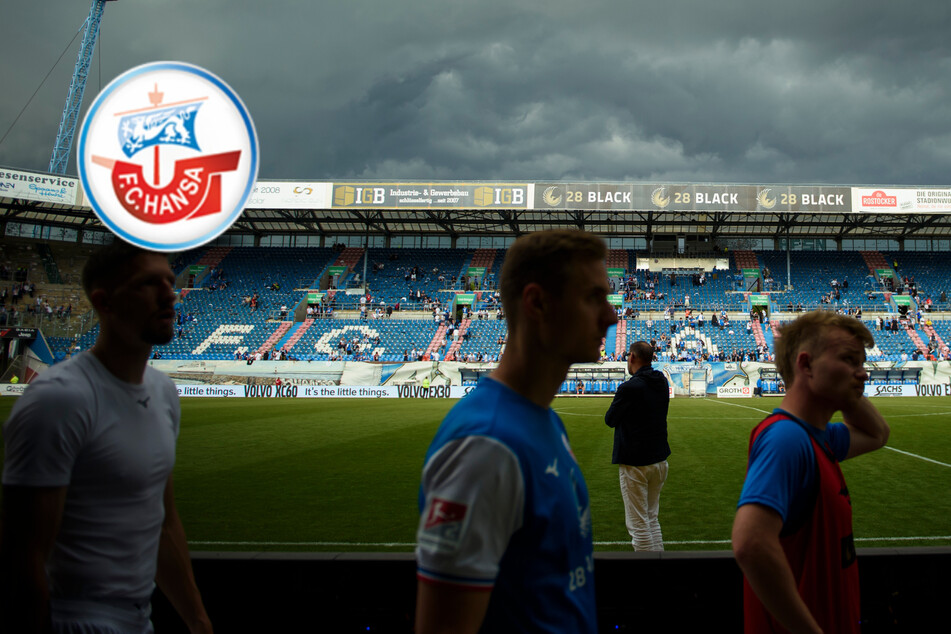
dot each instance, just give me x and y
(244, 301)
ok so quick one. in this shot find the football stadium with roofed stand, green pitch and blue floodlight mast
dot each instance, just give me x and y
(321, 340)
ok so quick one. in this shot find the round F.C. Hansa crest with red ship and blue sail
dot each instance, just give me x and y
(167, 156)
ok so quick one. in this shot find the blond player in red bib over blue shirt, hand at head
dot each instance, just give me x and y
(792, 535)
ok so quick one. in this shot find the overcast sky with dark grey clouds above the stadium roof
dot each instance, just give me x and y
(843, 92)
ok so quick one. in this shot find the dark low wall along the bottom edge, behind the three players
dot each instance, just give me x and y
(903, 590)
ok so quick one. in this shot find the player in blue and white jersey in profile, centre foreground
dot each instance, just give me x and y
(504, 538)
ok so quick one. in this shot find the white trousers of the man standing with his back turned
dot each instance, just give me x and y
(640, 490)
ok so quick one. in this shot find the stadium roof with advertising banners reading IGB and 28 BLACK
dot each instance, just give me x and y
(725, 210)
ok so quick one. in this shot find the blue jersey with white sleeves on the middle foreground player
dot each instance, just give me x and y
(504, 507)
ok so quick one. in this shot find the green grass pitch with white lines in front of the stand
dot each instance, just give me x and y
(342, 475)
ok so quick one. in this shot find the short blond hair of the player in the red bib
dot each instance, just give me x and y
(808, 332)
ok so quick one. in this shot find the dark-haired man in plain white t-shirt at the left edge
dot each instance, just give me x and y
(90, 524)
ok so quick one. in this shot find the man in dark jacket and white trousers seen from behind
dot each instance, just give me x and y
(638, 415)
